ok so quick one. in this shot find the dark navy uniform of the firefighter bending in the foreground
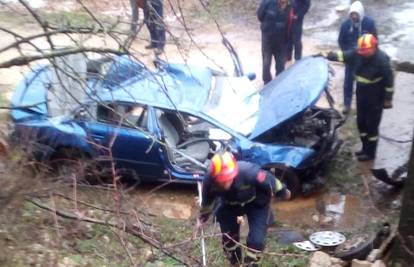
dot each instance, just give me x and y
(250, 194)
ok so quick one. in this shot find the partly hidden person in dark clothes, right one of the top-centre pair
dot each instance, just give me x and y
(301, 7)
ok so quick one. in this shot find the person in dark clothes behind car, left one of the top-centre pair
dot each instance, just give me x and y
(276, 18)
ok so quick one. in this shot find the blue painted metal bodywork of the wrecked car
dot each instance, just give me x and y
(188, 89)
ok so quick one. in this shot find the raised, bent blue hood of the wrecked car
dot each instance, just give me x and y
(292, 92)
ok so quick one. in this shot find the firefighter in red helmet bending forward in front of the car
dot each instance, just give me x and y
(244, 189)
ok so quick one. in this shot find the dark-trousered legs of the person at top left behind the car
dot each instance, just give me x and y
(153, 13)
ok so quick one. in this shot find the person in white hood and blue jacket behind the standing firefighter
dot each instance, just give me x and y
(351, 29)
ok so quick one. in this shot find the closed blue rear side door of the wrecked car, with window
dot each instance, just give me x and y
(120, 134)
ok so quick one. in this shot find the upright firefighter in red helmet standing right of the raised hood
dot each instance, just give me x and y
(374, 90)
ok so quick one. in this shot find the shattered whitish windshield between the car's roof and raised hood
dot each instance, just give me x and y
(235, 103)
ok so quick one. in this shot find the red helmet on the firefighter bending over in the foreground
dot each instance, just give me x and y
(223, 167)
